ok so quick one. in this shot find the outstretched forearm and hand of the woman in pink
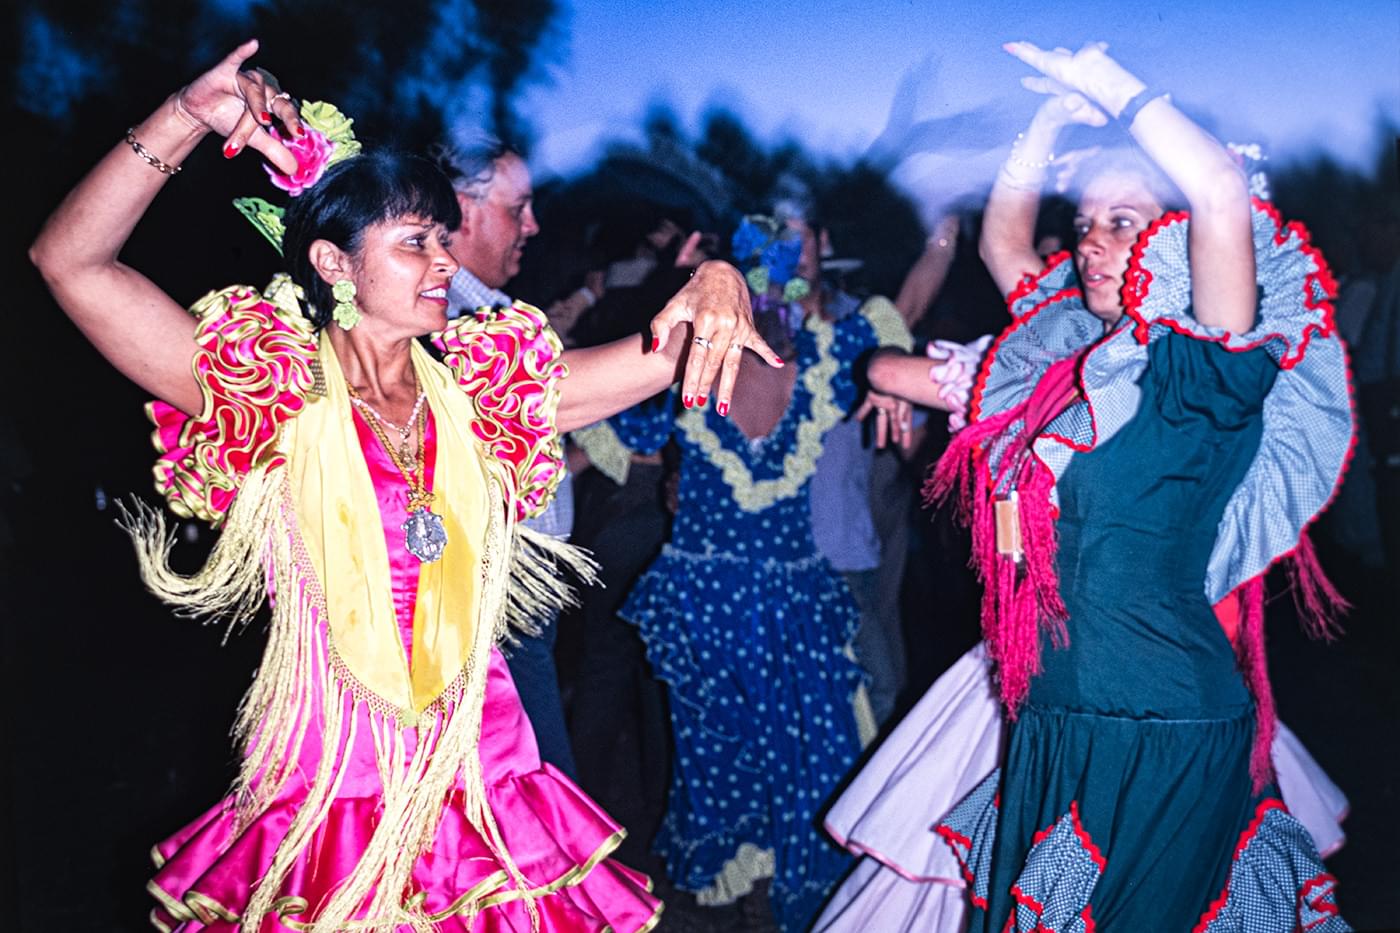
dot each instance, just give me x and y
(709, 323)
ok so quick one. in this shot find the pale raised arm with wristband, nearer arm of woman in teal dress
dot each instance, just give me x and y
(1221, 242)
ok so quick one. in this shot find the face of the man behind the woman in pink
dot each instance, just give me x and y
(496, 223)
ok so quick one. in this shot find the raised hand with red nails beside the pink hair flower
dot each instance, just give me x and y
(241, 106)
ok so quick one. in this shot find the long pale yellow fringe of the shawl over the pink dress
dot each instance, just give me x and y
(261, 548)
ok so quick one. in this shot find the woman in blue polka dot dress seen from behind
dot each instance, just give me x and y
(744, 620)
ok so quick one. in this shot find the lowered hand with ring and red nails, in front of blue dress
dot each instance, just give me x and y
(716, 303)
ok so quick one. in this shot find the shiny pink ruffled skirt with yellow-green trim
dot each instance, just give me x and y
(558, 837)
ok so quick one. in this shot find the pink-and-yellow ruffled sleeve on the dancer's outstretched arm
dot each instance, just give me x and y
(509, 364)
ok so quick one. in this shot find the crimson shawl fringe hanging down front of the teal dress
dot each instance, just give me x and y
(1018, 600)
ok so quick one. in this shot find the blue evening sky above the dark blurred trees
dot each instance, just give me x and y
(1296, 75)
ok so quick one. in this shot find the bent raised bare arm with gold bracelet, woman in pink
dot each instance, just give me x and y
(139, 329)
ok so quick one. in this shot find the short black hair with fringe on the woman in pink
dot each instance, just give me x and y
(356, 194)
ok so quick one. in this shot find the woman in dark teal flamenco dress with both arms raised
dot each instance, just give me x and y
(1165, 415)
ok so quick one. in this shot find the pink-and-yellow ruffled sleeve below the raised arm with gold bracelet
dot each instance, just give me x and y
(254, 368)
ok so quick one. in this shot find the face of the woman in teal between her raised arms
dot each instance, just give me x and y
(1115, 208)
